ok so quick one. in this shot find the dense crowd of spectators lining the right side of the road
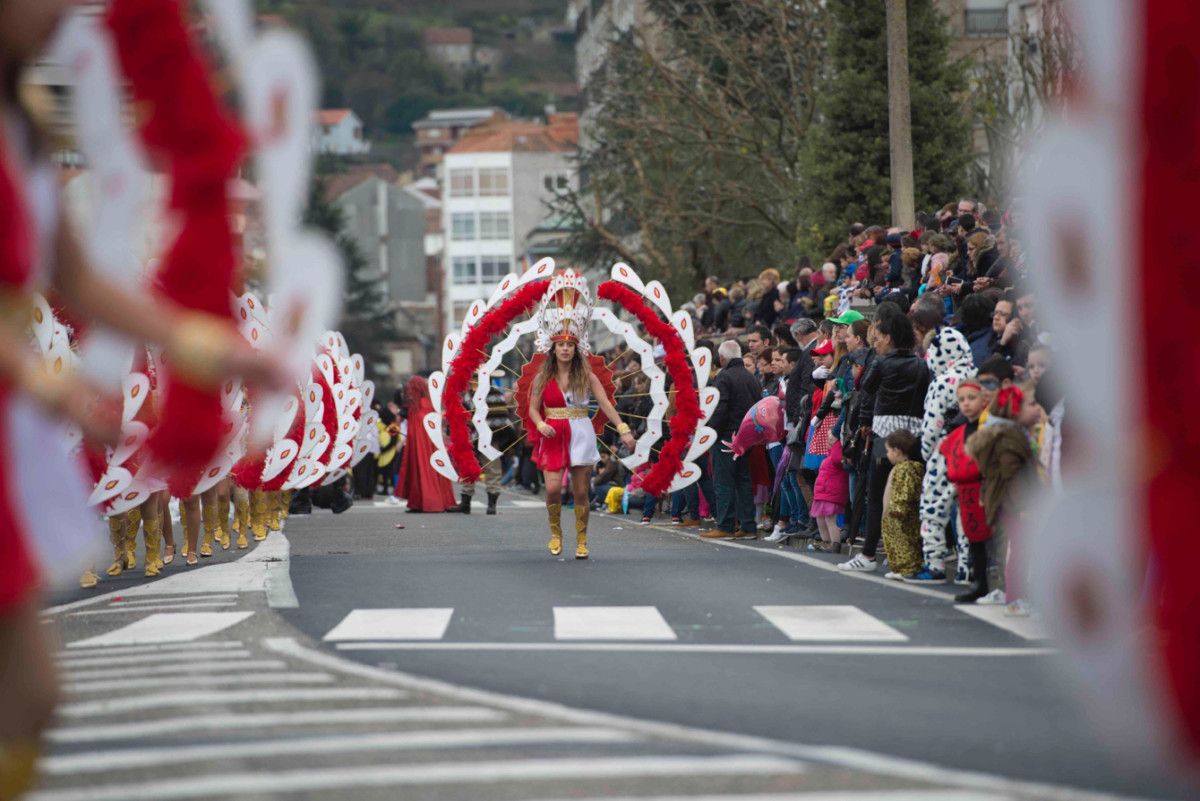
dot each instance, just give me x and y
(913, 369)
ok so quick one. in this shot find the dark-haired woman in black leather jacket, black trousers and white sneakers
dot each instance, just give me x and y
(898, 380)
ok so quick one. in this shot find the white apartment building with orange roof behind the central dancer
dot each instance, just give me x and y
(499, 180)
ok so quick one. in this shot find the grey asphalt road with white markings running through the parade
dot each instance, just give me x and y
(457, 659)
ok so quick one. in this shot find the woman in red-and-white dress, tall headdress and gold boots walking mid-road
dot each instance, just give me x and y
(563, 436)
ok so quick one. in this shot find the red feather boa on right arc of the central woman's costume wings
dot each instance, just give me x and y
(687, 415)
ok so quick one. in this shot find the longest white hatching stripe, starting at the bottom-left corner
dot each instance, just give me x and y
(454, 773)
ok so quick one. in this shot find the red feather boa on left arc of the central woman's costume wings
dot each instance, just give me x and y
(472, 353)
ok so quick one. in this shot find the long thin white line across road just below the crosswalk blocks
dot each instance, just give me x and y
(697, 648)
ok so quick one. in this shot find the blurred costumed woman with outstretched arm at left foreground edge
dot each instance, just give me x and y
(40, 513)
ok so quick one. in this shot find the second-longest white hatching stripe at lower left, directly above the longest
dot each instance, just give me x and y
(429, 739)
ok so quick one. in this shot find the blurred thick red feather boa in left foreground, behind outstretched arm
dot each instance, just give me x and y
(187, 128)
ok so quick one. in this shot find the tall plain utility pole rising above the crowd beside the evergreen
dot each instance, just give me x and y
(904, 213)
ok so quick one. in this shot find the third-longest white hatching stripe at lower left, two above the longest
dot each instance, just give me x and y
(233, 721)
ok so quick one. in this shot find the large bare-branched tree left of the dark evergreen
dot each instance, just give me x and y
(693, 165)
